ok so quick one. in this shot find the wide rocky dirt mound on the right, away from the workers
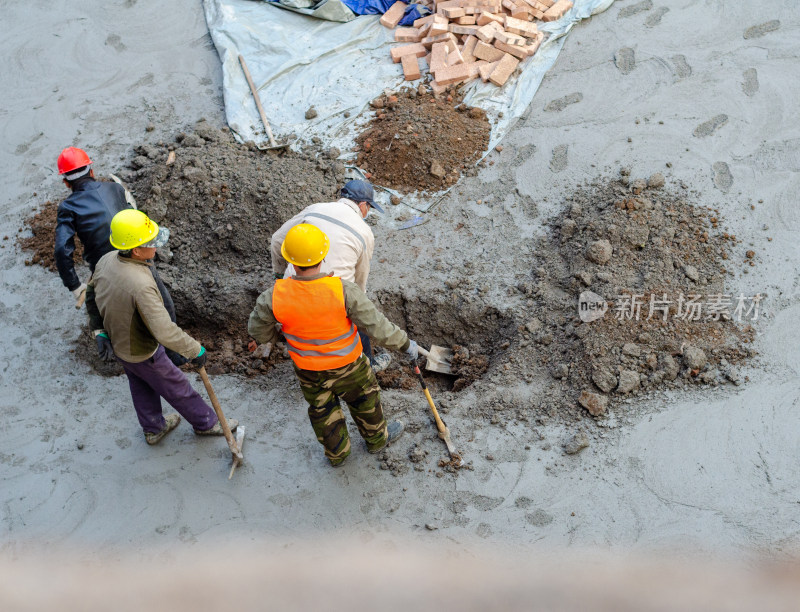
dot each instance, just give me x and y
(651, 257)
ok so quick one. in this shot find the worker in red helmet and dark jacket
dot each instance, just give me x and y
(87, 212)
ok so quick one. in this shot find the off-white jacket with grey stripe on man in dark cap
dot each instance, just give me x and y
(352, 241)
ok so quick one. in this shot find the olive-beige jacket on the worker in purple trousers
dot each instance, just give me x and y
(122, 298)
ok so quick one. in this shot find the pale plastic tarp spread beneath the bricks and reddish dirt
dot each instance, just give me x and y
(298, 61)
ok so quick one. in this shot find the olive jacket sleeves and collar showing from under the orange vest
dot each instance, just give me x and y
(263, 326)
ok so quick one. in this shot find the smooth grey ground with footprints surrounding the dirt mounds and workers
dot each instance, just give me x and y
(708, 471)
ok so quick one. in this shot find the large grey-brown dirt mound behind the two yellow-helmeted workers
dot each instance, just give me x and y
(221, 201)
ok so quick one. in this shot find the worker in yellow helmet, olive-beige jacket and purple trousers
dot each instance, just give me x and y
(129, 320)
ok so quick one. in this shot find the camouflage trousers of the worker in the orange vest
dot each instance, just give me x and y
(354, 383)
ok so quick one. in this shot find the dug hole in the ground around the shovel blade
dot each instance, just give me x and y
(477, 332)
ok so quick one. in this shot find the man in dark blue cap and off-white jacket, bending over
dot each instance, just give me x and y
(352, 244)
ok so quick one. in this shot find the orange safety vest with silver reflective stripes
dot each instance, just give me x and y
(314, 321)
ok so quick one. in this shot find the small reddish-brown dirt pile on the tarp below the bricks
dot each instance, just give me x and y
(420, 142)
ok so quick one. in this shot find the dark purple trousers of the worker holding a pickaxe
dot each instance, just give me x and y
(157, 377)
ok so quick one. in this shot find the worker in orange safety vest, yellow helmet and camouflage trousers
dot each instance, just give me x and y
(320, 316)
